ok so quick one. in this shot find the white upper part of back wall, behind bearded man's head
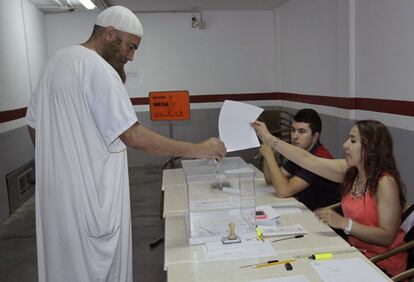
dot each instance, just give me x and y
(234, 54)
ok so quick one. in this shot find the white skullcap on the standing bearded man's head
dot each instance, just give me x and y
(121, 19)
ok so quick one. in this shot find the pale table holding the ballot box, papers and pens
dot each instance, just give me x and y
(184, 262)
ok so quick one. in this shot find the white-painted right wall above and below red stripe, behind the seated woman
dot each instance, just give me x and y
(348, 48)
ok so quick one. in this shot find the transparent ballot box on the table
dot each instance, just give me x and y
(219, 193)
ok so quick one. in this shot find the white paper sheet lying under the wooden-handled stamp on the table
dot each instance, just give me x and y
(245, 249)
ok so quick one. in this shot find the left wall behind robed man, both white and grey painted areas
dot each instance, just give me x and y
(22, 52)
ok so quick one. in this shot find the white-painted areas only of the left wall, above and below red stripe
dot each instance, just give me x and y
(23, 51)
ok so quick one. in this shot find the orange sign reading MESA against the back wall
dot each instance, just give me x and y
(169, 105)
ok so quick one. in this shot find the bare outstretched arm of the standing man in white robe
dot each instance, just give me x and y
(142, 138)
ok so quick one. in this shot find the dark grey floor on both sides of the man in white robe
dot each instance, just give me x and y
(18, 235)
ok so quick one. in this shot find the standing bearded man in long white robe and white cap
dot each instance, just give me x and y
(81, 120)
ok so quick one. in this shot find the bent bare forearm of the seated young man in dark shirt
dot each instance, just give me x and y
(284, 186)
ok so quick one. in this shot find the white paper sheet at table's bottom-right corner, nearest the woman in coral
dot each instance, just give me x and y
(345, 270)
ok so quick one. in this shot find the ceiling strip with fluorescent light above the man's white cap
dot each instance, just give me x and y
(53, 6)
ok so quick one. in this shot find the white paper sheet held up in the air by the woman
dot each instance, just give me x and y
(234, 125)
